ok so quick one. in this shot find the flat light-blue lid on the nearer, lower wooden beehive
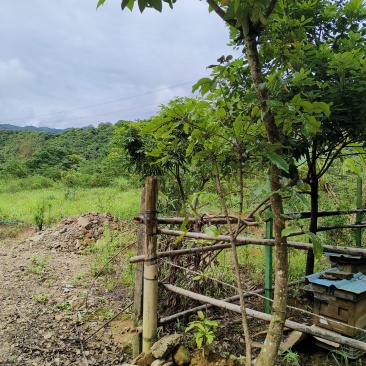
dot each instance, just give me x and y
(356, 285)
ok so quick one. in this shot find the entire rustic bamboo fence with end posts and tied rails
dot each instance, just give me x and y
(147, 282)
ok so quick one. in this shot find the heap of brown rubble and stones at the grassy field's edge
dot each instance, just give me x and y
(78, 232)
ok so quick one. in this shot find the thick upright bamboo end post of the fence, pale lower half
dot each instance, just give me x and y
(150, 296)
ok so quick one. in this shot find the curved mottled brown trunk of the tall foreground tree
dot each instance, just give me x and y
(271, 346)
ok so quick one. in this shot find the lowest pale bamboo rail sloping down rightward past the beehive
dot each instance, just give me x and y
(312, 330)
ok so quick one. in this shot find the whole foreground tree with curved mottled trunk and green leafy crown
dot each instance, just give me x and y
(276, 35)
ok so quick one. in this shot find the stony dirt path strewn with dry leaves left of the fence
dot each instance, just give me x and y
(51, 306)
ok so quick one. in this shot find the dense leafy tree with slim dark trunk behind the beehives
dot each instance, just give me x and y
(325, 64)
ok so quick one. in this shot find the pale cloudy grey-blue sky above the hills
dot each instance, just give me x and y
(65, 64)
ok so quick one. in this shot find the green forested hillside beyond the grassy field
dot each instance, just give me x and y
(75, 155)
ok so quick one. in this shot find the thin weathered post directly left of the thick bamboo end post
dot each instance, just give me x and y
(138, 304)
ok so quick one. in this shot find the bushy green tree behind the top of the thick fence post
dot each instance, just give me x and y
(163, 152)
